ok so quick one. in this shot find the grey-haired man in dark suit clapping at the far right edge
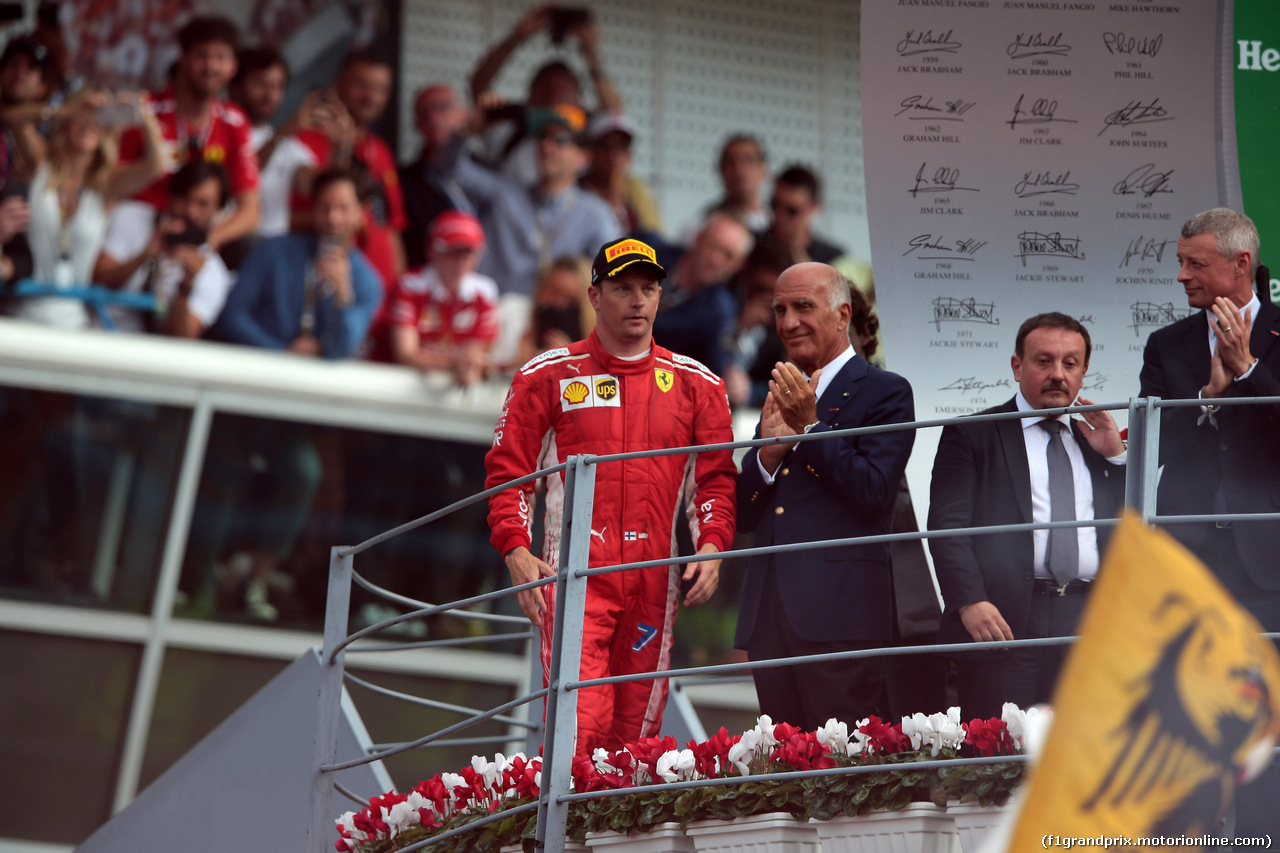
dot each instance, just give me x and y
(1223, 459)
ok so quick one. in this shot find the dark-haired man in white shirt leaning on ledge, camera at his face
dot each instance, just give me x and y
(171, 258)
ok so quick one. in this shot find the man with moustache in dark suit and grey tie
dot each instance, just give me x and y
(1021, 586)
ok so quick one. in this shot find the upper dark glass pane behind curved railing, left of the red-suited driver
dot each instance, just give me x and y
(276, 495)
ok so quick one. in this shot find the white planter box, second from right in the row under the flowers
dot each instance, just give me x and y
(921, 828)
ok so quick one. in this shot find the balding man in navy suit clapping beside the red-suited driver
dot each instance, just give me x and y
(836, 599)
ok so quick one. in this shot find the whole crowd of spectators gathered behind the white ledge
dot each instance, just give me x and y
(191, 204)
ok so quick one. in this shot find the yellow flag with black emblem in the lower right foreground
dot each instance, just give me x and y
(1168, 703)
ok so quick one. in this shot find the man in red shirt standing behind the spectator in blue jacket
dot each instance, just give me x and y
(360, 94)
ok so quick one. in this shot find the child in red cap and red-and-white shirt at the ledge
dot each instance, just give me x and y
(444, 316)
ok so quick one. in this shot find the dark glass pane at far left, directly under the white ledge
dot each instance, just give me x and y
(85, 489)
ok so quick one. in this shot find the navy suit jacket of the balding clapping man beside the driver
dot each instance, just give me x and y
(826, 490)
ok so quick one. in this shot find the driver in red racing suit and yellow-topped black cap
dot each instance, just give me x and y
(618, 393)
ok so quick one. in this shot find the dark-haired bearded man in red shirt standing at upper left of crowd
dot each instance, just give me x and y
(196, 124)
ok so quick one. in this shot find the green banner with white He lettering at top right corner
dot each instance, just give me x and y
(1258, 122)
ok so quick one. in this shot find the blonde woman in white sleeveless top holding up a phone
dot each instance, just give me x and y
(75, 185)
